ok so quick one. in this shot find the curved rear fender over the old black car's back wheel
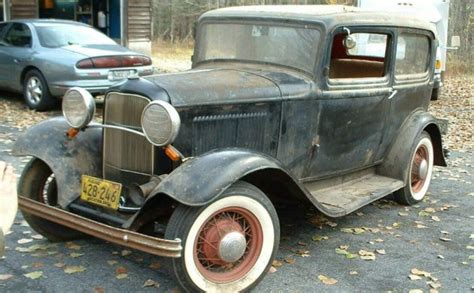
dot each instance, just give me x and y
(398, 157)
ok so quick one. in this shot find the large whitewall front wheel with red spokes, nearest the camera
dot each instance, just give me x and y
(229, 244)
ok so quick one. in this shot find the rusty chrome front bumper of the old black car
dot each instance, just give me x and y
(138, 241)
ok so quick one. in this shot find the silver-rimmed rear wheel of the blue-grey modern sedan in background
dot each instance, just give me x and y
(36, 92)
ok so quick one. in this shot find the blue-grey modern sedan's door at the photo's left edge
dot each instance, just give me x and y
(16, 50)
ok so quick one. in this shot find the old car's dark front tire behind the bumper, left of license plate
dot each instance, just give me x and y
(37, 183)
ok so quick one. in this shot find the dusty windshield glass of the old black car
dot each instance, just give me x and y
(270, 43)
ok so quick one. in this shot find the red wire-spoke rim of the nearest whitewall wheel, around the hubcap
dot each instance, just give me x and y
(206, 254)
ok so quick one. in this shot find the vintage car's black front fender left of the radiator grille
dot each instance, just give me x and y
(67, 158)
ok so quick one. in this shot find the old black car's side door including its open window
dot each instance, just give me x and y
(354, 103)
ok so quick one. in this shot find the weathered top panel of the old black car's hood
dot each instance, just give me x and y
(211, 86)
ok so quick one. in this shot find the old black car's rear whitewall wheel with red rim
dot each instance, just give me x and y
(419, 171)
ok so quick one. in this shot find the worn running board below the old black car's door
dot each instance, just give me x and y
(343, 195)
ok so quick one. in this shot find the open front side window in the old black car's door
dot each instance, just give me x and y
(365, 60)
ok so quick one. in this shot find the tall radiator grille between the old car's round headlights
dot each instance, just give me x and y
(127, 157)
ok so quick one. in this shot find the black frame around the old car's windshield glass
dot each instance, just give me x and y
(259, 21)
